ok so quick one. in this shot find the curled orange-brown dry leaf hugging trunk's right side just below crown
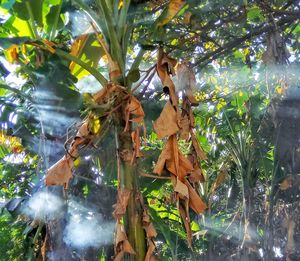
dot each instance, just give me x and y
(135, 109)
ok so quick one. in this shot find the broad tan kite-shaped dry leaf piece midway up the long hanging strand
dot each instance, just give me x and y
(166, 124)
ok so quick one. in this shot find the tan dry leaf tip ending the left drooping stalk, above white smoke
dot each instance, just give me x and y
(60, 173)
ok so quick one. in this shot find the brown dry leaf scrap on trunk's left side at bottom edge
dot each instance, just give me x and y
(122, 244)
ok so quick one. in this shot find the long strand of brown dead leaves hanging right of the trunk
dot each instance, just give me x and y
(174, 123)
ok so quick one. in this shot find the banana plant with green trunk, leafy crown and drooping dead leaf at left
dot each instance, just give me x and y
(34, 32)
